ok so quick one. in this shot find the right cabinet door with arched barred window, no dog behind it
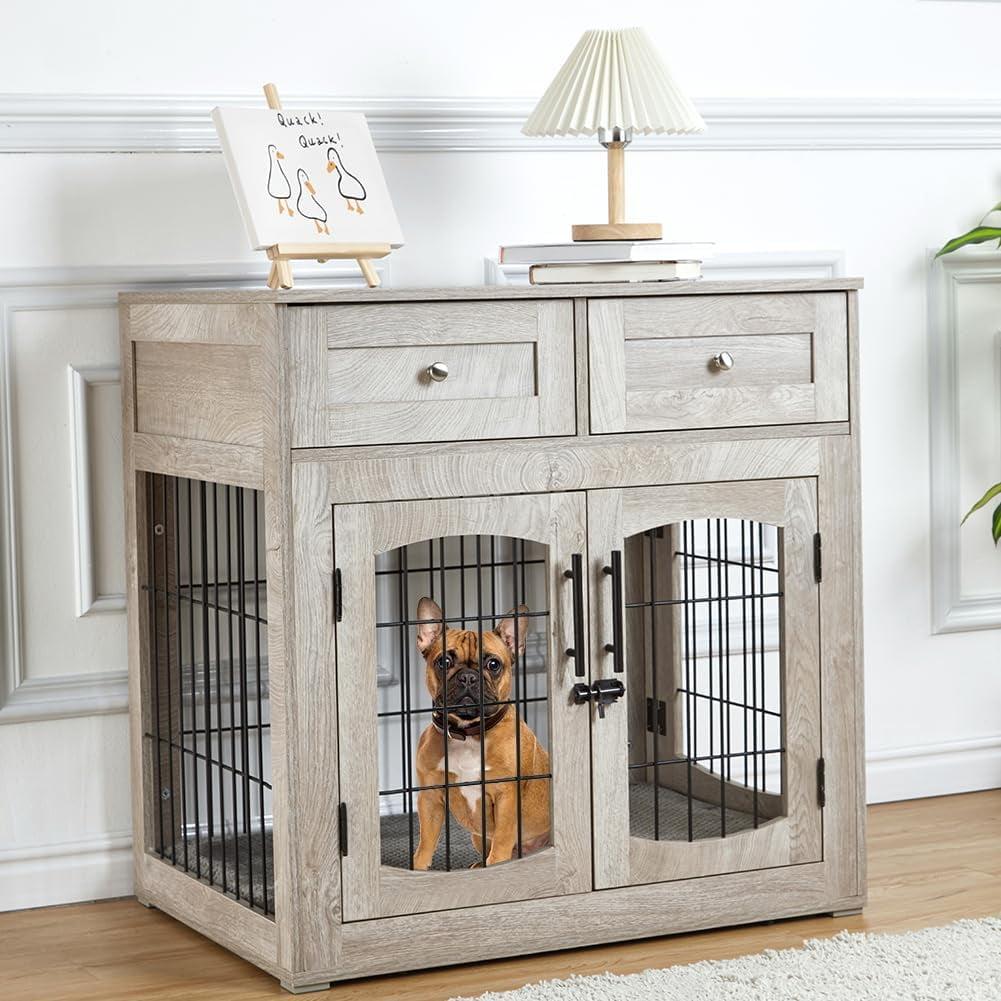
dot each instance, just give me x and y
(709, 763)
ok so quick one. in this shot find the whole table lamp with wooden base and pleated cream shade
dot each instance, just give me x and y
(615, 86)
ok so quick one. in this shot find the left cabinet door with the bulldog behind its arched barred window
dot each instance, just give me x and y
(491, 570)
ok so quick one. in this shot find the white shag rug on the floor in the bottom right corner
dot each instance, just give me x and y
(960, 962)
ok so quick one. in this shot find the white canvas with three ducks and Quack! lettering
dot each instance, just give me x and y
(307, 177)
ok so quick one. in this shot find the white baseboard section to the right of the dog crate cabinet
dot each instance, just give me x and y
(933, 770)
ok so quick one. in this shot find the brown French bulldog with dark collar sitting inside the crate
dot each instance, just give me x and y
(462, 672)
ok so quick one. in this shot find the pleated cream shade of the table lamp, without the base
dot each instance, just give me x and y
(614, 81)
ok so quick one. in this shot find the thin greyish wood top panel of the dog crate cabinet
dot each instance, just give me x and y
(311, 297)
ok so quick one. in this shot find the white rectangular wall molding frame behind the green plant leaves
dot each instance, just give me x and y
(951, 611)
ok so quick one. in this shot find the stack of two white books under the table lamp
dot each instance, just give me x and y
(609, 261)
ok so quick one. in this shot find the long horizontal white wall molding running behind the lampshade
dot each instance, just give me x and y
(46, 124)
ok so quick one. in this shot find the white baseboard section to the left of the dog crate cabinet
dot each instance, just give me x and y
(91, 869)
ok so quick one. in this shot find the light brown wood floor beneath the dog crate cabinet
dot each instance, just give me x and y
(930, 862)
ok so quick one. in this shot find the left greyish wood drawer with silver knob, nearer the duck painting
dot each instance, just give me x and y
(361, 373)
